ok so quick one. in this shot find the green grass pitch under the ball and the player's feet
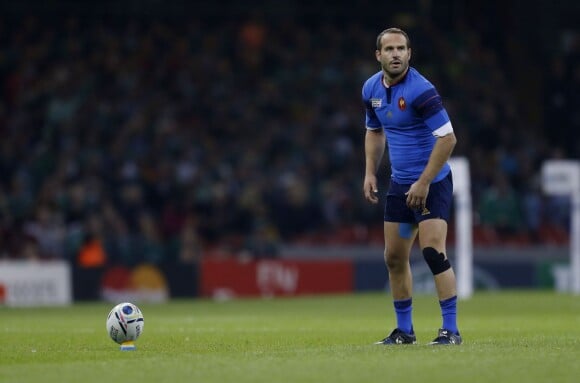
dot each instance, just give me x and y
(509, 336)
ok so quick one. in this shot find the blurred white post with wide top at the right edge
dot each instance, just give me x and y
(562, 177)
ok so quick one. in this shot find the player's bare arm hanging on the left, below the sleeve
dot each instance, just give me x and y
(374, 150)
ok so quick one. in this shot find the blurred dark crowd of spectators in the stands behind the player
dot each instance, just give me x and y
(128, 139)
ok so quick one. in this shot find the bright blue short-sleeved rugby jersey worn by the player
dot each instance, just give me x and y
(408, 111)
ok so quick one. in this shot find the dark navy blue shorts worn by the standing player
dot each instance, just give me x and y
(438, 204)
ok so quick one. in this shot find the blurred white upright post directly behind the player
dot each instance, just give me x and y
(463, 226)
